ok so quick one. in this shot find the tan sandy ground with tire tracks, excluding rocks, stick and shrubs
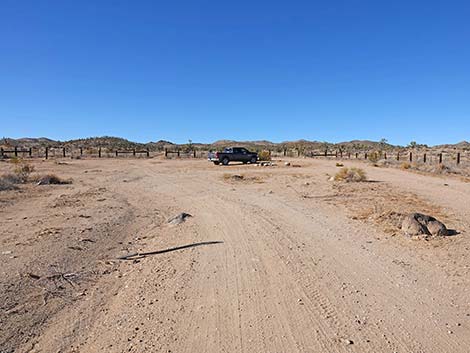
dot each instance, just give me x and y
(302, 264)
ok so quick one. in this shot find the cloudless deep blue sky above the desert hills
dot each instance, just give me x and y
(207, 70)
